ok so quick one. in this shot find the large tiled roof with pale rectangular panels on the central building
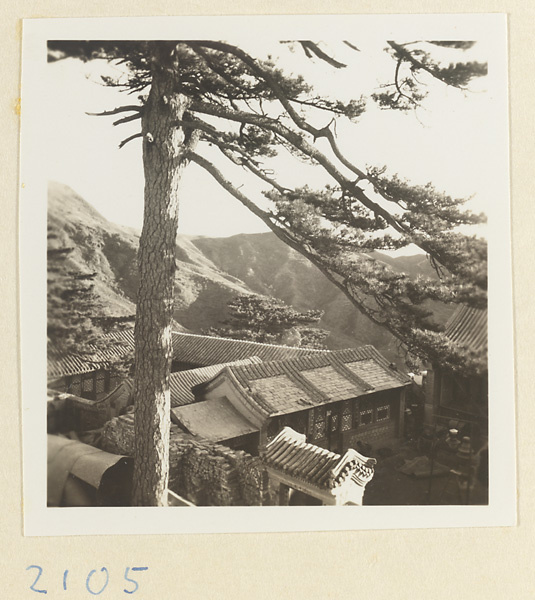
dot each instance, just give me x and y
(283, 387)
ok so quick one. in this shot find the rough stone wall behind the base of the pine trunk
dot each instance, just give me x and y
(203, 472)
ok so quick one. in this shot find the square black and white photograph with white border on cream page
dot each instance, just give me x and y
(275, 255)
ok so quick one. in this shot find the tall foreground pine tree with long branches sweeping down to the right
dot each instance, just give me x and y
(198, 96)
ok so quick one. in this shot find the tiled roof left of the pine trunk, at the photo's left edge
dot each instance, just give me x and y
(121, 343)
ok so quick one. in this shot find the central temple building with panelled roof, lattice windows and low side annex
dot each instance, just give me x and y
(338, 400)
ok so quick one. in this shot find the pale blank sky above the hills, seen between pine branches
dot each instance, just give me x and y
(448, 142)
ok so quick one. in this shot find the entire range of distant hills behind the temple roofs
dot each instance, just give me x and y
(211, 271)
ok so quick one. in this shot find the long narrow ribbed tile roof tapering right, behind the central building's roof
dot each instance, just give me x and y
(206, 350)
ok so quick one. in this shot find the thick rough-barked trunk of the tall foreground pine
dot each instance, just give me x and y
(165, 145)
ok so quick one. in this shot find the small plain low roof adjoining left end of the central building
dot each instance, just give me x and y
(215, 420)
